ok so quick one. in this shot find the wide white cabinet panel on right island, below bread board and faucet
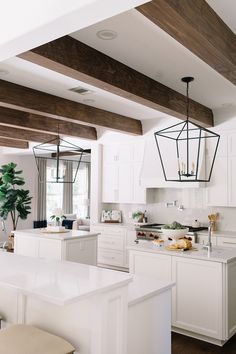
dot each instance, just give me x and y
(197, 297)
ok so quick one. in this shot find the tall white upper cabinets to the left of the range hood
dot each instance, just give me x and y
(121, 173)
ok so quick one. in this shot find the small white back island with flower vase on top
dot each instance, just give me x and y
(71, 245)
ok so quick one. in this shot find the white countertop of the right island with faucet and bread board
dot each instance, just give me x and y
(218, 254)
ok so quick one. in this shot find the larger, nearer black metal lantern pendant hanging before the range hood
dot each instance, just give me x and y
(183, 131)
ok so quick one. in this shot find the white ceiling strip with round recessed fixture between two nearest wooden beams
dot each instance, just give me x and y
(149, 50)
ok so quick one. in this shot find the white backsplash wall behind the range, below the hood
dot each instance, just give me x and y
(194, 207)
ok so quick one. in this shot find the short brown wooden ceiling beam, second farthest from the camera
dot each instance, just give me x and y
(22, 134)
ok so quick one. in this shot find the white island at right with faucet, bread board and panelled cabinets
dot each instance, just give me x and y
(203, 300)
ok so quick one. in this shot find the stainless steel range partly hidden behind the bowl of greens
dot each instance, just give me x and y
(151, 231)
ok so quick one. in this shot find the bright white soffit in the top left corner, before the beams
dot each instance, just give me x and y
(27, 24)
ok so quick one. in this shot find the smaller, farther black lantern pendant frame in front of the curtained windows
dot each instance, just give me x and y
(57, 143)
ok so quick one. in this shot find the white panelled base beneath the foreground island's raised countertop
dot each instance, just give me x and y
(94, 325)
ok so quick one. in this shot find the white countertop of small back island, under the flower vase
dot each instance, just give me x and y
(69, 234)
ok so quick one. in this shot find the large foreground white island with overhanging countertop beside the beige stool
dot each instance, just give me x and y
(97, 310)
